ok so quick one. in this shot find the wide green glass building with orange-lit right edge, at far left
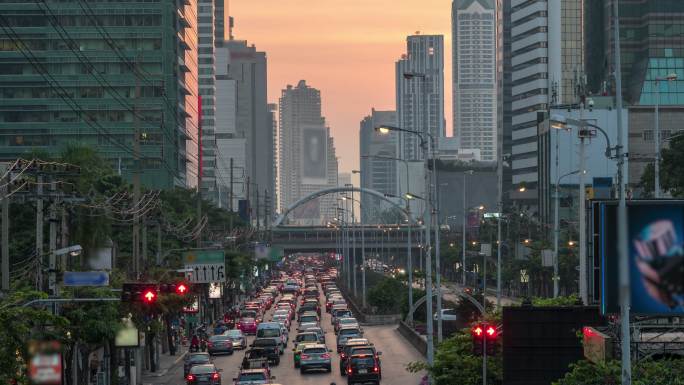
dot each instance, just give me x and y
(96, 73)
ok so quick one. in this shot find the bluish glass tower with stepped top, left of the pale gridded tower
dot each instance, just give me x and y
(420, 91)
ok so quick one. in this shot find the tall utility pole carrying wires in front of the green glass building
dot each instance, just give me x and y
(136, 177)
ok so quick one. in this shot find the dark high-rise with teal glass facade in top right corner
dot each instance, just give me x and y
(651, 47)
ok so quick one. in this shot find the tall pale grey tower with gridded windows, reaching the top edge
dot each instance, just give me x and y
(475, 88)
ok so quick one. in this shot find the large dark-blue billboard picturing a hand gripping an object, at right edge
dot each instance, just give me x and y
(655, 235)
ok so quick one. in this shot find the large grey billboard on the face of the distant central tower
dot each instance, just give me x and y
(314, 155)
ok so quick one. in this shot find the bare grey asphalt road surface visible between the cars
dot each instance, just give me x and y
(396, 354)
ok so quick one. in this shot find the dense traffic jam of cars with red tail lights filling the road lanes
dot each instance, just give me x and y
(286, 317)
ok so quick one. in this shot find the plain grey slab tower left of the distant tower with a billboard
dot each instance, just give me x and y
(247, 67)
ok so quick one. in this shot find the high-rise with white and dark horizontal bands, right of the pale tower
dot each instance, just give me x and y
(546, 64)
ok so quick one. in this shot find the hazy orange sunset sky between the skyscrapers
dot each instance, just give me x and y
(345, 48)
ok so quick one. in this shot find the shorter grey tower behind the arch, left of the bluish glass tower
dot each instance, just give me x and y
(378, 167)
